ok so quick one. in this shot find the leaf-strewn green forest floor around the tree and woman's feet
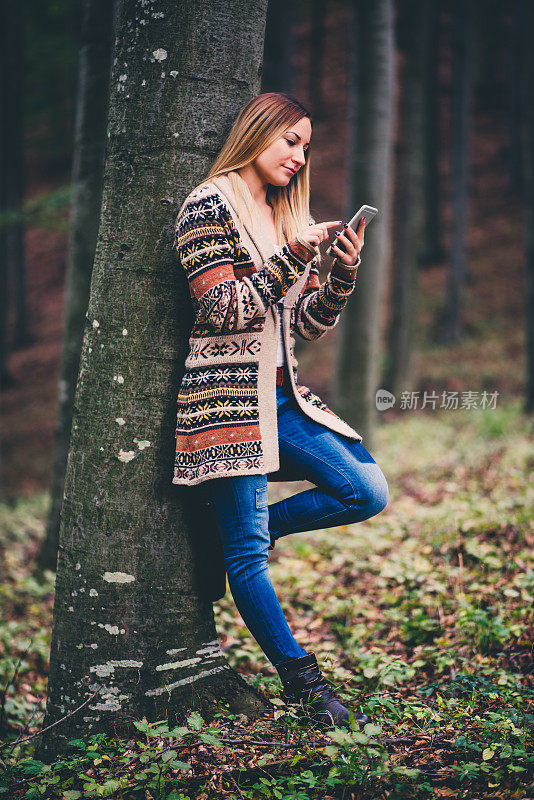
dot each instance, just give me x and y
(421, 616)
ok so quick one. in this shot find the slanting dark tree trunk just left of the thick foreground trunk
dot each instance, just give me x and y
(87, 176)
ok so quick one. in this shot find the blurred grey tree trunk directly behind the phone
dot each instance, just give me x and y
(360, 325)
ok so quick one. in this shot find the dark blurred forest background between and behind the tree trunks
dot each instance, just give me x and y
(307, 52)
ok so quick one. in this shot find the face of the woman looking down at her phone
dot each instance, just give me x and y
(286, 155)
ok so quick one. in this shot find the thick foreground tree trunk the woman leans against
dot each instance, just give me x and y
(130, 623)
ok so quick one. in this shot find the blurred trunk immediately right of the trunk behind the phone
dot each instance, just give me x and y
(408, 217)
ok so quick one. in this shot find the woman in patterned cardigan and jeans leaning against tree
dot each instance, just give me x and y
(250, 251)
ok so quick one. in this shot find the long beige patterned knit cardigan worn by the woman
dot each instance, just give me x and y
(226, 407)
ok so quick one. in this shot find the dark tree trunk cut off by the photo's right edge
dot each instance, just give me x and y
(528, 100)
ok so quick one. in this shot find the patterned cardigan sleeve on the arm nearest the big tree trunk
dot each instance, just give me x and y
(227, 303)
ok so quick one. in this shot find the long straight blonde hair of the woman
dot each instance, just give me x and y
(259, 123)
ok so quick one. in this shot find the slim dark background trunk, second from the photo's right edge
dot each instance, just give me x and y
(450, 326)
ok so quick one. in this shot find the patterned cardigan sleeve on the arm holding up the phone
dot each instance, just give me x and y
(318, 308)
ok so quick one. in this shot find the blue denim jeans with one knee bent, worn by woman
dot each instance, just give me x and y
(349, 487)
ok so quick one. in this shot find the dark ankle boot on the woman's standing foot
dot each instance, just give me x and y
(302, 680)
